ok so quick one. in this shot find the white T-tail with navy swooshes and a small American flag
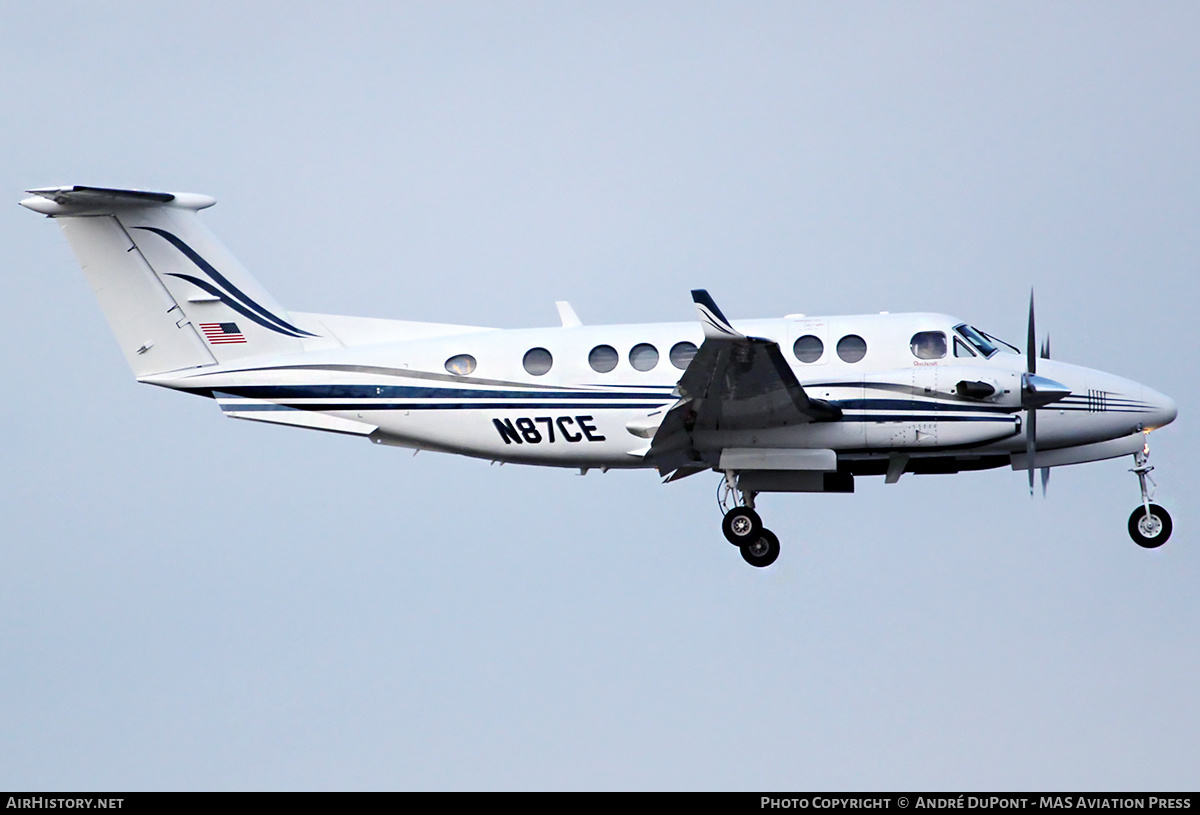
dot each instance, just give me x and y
(175, 297)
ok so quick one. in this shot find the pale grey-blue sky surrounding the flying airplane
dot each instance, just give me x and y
(199, 603)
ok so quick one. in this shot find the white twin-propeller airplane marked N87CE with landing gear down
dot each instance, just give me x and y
(790, 405)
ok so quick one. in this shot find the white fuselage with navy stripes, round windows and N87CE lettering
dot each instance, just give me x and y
(400, 392)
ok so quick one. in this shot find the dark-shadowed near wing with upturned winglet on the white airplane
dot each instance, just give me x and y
(734, 382)
